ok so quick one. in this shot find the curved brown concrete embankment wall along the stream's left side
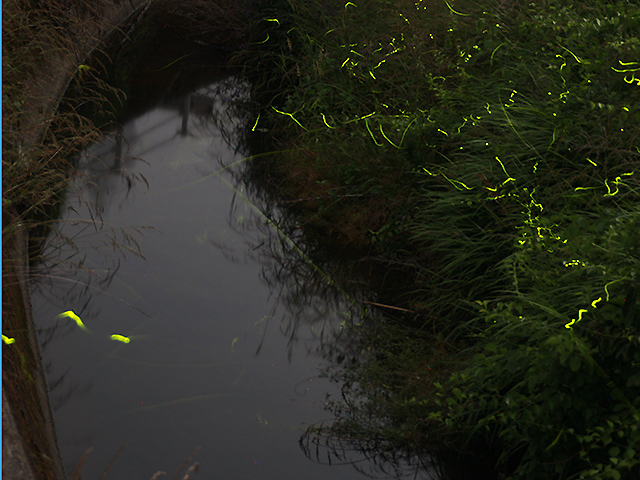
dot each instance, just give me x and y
(29, 448)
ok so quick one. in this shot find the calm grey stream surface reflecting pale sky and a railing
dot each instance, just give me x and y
(204, 324)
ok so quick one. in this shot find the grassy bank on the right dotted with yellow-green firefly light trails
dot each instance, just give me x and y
(489, 151)
